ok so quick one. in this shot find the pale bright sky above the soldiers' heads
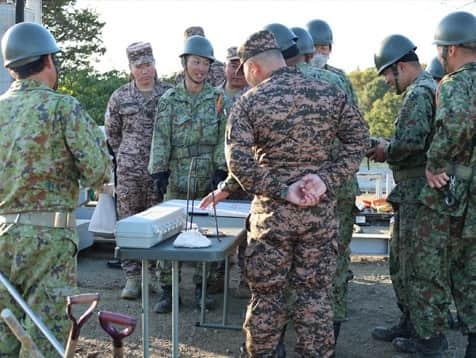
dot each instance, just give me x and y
(358, 25)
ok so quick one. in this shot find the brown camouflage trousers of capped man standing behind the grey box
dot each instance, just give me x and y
(134, 195)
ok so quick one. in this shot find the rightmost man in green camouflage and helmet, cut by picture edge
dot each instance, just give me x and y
(446, 222)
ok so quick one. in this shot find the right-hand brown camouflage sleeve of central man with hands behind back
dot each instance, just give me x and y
(354, 141)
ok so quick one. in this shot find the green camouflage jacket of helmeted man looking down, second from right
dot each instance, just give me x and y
(413, 132)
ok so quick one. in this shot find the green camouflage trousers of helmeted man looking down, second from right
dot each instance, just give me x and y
(402, 248)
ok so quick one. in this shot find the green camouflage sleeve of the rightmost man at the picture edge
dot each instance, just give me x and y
(454, 129)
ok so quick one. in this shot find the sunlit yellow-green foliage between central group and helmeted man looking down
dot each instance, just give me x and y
(379, 104)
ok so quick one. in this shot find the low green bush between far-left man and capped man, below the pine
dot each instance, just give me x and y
(92, 89)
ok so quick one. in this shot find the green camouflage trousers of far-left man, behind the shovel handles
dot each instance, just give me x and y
(40, 262)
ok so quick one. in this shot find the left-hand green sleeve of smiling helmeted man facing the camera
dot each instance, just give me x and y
(161, 139)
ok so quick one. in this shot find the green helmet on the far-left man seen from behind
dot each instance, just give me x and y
(26, 42)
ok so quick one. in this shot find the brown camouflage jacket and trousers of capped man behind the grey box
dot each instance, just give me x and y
(129, 123)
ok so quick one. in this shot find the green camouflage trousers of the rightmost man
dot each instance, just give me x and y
(444, 266)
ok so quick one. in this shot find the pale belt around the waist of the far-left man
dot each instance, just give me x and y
(48, 219)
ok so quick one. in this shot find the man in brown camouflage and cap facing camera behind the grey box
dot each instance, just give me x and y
(129, 124)
